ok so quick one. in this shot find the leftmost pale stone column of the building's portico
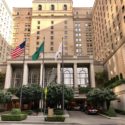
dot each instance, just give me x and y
(8, 76)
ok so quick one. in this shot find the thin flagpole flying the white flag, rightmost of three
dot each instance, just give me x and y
(62, 76)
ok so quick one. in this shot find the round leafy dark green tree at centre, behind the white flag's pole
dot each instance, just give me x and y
(54, 95)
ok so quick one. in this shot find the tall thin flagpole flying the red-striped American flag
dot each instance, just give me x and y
(23, 75)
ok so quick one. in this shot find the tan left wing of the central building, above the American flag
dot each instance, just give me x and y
(21, 26)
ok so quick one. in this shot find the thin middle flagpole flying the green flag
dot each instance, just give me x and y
(42, 95)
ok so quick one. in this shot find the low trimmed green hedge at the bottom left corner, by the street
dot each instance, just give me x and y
(12, 117)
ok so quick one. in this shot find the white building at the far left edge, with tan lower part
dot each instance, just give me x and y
(5, 31)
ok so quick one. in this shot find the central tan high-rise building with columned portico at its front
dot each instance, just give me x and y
(54, 22)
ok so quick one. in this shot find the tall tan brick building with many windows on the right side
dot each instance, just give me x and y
(109, 35)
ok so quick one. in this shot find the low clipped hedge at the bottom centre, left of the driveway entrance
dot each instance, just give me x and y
(55, 119)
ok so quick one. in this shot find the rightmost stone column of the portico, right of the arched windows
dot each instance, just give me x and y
(92, 75)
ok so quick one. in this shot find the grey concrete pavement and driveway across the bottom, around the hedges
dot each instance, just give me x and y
(76, 118)
